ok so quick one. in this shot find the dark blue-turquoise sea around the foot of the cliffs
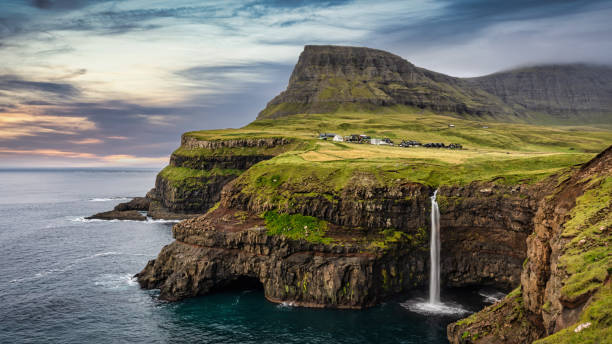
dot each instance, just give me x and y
(63, 280)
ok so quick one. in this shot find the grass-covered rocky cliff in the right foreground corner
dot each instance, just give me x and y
(565, 290)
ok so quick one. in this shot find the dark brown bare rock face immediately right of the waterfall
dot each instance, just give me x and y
(483, 230)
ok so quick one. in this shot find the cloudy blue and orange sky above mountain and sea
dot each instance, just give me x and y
(115, 83)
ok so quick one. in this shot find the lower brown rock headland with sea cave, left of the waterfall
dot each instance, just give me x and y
(206, 257)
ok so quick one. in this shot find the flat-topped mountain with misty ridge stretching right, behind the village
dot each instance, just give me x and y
(336, 78)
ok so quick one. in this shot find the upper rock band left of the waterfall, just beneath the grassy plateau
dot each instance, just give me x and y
(362, 204)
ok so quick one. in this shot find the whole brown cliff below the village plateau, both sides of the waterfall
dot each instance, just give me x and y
(361, 266)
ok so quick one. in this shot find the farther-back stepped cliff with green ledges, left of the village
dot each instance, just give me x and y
(203, 168)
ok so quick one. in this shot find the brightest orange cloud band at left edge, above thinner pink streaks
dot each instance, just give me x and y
(13, 125)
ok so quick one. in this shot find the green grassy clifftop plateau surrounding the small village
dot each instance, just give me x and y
(510, 153)
